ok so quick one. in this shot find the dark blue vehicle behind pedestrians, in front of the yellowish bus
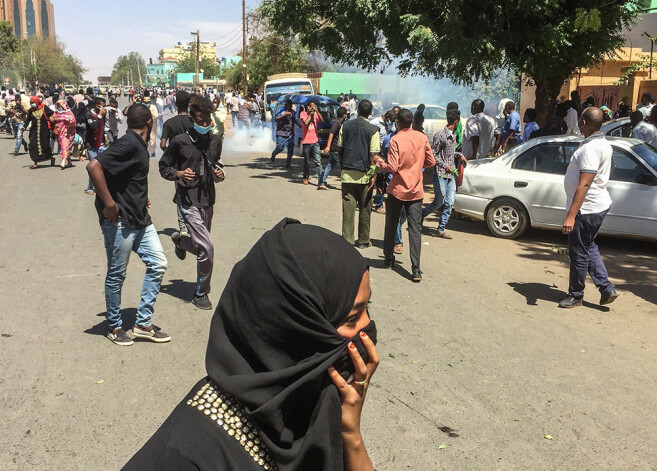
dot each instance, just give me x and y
(328, 108)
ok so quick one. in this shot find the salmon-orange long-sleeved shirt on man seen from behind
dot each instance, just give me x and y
(408, 154)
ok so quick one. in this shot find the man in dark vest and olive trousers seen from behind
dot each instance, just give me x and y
(358, 141)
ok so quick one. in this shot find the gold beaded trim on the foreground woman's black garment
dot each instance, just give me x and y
(229, 414)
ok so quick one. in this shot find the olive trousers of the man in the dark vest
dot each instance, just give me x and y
(355, 195)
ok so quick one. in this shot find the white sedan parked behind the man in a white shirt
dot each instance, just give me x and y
(524, 188)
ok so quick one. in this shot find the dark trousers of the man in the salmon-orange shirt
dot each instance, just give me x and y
(414, 216)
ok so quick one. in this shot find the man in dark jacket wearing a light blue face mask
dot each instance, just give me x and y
(188, 162)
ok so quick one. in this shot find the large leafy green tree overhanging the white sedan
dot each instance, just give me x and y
(464, 40)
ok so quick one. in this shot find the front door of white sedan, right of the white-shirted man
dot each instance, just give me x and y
(634, 205)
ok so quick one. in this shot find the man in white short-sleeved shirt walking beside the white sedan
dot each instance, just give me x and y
(588, 202)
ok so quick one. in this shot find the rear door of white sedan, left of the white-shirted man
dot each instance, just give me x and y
(536, 179)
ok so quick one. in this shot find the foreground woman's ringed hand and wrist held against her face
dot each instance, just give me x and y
(352, 395)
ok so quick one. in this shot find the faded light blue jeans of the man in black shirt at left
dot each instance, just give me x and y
(120, 241)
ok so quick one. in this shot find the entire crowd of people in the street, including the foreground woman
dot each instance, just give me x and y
(382, 160)
